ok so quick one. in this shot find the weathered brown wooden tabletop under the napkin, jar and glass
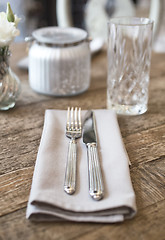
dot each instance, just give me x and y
(144, 138)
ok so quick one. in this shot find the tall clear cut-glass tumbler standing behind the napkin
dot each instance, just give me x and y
(129, 58)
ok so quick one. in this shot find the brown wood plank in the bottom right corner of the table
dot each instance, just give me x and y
(147, 225)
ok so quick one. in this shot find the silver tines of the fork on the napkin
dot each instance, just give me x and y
(73, 119)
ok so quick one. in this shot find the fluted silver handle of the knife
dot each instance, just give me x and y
(94, 170)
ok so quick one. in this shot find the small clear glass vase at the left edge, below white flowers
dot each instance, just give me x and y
(9, 82)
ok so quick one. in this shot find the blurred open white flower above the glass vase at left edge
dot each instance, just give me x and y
(8, 30)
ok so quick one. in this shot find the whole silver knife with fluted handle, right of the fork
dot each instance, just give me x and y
(96, 190)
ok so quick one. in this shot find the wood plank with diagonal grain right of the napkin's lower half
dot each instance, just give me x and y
(148, 182)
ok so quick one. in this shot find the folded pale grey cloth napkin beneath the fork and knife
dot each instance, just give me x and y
(48, 201)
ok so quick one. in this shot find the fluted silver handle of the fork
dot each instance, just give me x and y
(70, 174)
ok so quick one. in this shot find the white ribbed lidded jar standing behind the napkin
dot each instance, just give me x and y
(59, 61)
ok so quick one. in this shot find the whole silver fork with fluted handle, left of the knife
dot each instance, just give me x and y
(73, 131)
